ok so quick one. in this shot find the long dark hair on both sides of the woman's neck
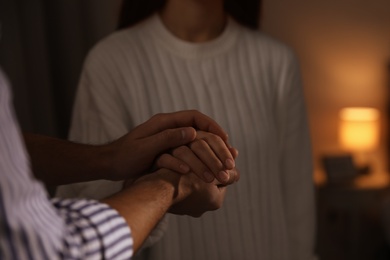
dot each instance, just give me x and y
(246, 12)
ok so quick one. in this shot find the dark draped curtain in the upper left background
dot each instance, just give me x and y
(42, 48)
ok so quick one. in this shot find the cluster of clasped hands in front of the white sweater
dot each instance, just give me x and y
(201, 162)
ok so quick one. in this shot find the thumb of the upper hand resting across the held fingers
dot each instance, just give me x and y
(170, 138)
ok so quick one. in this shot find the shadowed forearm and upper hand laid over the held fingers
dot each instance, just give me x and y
(127, 157)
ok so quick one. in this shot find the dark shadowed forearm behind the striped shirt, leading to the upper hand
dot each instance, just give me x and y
(58, 162)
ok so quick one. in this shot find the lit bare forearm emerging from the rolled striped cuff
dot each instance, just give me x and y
(144, 204)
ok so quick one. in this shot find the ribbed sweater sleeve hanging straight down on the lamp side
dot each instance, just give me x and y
(296, 162)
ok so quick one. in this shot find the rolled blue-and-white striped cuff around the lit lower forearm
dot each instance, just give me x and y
(94, 229)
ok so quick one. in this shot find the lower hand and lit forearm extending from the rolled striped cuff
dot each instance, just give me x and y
(144, 202)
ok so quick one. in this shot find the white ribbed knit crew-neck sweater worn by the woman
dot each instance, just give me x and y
(248, 83)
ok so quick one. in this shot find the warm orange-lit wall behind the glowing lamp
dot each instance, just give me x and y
(342, 45)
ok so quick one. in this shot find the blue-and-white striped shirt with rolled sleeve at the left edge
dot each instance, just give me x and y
(32, 226)
